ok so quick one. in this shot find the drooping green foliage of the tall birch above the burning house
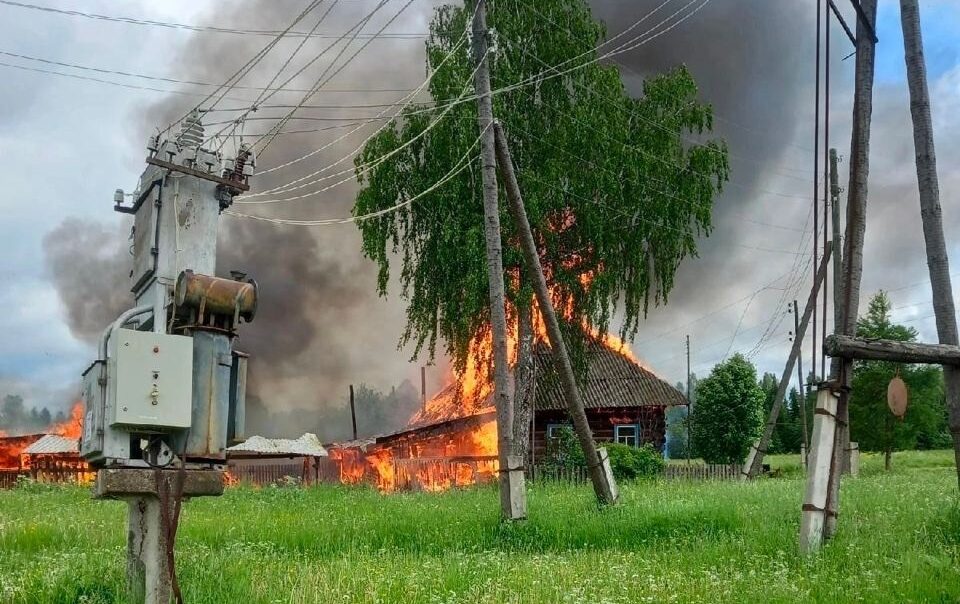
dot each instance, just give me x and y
(612, 186)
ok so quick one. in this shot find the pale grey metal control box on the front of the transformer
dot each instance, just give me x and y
(149, 380)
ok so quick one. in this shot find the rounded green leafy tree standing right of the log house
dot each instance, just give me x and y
(729, 412)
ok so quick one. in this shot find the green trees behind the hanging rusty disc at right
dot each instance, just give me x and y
(872, 424)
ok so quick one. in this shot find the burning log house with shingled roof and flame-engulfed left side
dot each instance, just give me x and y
(453, 440)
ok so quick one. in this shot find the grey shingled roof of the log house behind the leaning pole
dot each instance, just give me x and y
(613, 380)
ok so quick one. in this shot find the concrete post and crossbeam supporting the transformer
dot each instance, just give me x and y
(148, 569)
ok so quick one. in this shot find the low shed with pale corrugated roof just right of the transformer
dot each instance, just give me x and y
(262, 460)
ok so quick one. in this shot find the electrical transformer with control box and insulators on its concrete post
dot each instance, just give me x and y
(163, 400)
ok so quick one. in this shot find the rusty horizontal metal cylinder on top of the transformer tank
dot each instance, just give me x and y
(215, 295)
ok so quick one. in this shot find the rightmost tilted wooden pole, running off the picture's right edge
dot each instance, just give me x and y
(938, 262)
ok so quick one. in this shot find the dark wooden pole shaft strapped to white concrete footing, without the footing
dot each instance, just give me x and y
(853, 240)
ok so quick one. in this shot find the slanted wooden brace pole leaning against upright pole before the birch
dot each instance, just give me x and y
(598, 464)
